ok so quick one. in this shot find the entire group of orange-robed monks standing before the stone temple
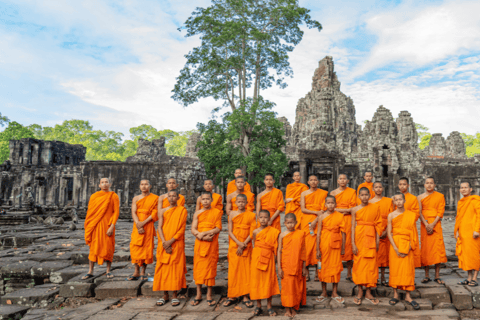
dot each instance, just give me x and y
(363, 228)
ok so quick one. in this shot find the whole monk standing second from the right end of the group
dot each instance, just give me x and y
(433, 248)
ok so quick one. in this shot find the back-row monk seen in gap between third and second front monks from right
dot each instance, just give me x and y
(346, 200)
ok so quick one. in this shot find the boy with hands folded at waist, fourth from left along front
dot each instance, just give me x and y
(206, 225)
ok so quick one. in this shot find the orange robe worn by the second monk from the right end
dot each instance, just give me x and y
(433, 247)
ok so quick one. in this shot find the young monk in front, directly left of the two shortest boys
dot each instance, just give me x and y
(241, 224)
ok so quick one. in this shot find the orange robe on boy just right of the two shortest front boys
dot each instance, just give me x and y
(331, 247)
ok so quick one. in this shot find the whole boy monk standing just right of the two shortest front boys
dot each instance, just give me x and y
(330, 247)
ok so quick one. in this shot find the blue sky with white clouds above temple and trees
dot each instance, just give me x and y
(114, 63)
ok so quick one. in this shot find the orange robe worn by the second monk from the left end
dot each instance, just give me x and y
(141, 245)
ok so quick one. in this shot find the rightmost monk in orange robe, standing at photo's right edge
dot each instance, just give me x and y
(467, 233)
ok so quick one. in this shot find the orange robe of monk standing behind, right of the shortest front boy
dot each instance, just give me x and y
(314, 201)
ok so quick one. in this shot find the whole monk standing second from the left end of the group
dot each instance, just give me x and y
(144, 215)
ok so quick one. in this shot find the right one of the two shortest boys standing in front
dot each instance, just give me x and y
(291, 266)
